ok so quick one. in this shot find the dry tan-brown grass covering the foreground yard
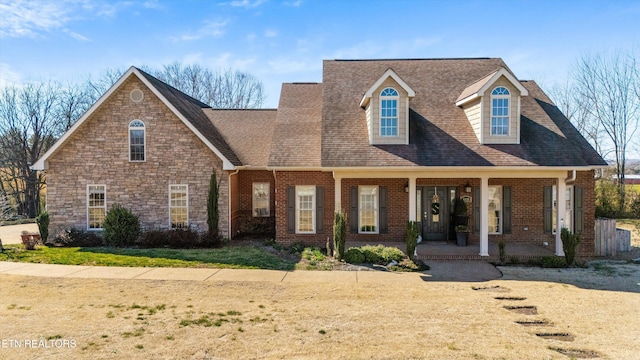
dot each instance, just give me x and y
(121, 319)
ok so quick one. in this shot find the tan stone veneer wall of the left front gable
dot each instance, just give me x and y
(97, 153)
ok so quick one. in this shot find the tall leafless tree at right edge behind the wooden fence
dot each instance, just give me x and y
(607, 87)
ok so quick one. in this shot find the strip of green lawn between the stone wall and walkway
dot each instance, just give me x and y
(232, 257)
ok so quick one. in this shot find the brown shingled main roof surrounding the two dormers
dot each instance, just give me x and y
(440, 133)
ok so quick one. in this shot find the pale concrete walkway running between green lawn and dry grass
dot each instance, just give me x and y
(462, 271)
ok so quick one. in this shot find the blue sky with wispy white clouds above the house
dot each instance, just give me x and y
(286, 40)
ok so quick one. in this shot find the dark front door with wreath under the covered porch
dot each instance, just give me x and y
(434, 209)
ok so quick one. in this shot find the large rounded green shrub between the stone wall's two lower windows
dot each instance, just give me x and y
(121, 227)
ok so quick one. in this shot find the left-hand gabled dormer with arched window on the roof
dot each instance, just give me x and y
(386, 106)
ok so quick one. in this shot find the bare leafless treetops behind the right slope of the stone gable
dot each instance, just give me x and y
(223, 89)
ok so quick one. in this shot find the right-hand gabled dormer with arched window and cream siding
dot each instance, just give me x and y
(492, 106)
